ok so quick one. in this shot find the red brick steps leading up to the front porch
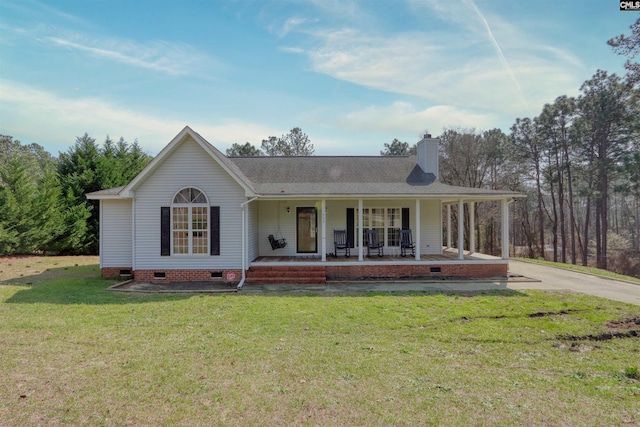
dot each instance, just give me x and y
(301, 275)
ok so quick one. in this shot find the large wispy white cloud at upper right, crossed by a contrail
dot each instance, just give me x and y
(463, 63)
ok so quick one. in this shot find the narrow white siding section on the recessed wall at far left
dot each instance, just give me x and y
(115, 233)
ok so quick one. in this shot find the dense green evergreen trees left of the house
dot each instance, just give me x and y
(43, 208)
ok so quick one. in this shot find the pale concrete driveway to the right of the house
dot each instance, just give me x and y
(550, 278)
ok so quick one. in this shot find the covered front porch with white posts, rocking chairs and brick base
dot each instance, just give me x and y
(309, 255)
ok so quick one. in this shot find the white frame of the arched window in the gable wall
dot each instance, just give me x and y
(195, 202)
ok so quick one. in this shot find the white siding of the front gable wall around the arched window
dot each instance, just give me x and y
(188, 166)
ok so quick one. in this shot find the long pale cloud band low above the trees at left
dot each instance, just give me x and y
(60, 118)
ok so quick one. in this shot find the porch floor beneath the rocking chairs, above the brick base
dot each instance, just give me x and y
(448, 255)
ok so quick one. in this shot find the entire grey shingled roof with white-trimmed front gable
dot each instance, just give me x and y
(317, 176)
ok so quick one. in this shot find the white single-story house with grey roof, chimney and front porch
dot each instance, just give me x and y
(194, 214)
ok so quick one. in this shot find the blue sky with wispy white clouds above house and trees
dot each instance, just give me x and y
(353, 75)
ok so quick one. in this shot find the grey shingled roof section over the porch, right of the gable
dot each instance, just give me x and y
(350, 176)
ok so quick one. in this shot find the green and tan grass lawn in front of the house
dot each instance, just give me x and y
(73, 353)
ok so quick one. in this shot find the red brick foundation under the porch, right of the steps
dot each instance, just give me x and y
(418, 271)
